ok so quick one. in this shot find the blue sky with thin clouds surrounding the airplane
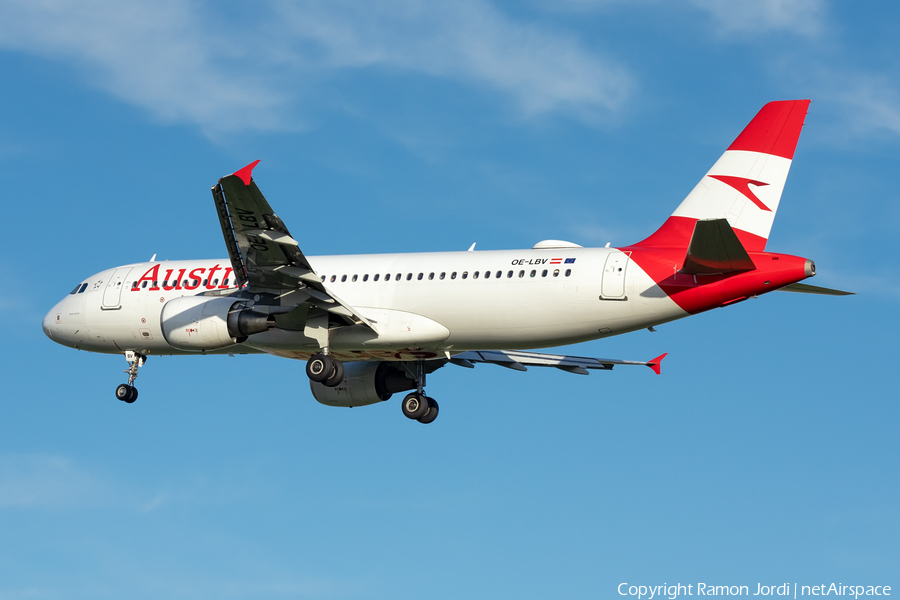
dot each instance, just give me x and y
(766, 452)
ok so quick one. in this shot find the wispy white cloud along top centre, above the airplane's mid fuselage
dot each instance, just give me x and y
(468, 40)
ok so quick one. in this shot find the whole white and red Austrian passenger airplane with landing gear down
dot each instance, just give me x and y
(373, 325)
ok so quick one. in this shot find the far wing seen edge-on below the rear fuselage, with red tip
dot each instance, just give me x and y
(519, 360)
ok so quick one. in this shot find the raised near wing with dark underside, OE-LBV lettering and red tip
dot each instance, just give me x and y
(264, 256)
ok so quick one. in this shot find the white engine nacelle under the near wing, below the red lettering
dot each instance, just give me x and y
(203, 323)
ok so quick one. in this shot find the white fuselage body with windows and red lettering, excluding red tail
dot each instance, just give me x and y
(421, 303)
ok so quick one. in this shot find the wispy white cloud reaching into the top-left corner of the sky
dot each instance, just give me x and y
(158, 55)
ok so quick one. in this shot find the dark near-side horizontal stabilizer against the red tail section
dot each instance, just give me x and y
(715, 248)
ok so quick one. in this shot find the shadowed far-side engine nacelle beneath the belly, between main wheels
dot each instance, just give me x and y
(364, 383)
